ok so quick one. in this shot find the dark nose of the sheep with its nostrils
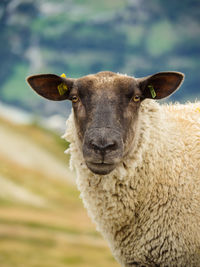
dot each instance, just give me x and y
(103, 146)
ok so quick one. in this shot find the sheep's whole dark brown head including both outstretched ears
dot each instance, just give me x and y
(106, 107)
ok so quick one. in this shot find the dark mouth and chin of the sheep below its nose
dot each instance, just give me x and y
(100, 168)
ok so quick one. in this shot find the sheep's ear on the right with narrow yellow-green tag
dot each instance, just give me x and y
(160, 85)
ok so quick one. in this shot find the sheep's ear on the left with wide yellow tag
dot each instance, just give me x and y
(51, 86)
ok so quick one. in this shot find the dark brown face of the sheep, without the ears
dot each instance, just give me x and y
(105, 105)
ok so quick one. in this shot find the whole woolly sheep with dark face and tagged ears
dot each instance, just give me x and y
(137, 163)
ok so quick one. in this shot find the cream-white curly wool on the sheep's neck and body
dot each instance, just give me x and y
(148, 208)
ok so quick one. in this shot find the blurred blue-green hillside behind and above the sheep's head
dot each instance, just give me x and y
(81, 37)
